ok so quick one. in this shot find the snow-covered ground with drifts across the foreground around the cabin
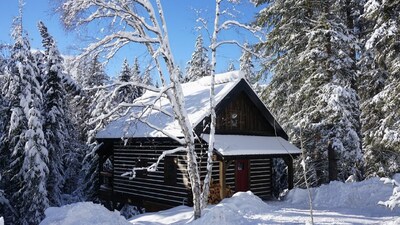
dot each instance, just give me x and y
(335, 203)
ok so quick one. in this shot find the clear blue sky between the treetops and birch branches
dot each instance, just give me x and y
(181, 21)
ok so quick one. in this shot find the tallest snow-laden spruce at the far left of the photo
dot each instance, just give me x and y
(28, 168)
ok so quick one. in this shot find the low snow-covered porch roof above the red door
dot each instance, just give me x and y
(235, 145)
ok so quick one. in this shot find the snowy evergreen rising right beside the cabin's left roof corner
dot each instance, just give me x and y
(89, 104)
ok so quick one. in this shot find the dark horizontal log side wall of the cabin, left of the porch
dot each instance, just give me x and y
(152, 186)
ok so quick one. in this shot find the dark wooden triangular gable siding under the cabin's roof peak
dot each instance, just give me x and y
(241, 116)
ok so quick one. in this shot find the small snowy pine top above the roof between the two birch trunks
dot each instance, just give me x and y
(199, 65)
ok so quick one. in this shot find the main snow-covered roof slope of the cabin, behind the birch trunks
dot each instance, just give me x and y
(196, 95)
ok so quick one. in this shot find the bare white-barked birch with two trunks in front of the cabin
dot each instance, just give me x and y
(142, 22)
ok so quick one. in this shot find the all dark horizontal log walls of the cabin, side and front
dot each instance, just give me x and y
(153, 187)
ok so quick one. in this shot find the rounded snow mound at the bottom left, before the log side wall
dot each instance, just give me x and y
(83, 213)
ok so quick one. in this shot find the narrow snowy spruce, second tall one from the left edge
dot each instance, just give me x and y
(56, 122)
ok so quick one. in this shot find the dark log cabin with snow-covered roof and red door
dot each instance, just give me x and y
(247, 139)
